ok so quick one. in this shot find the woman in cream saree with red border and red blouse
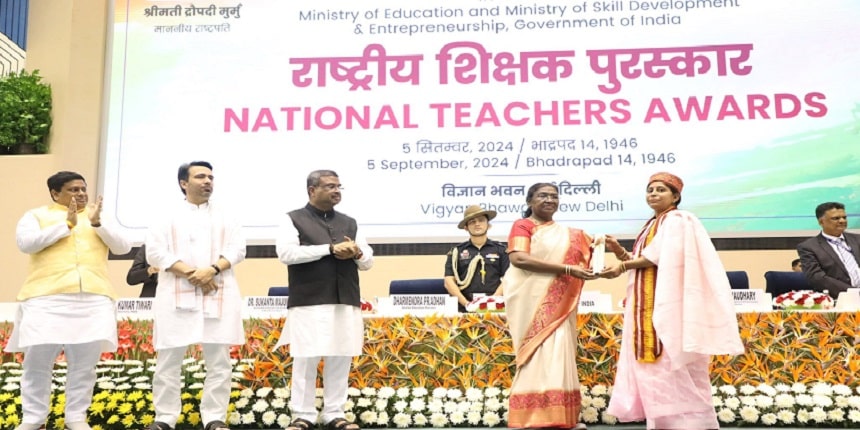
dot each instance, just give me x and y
(549, 265)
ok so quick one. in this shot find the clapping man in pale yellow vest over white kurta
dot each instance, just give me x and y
(67, 302)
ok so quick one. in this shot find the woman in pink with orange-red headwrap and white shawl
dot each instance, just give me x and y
(678, 312)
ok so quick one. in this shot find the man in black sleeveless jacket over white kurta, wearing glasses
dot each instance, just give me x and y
(323, 250)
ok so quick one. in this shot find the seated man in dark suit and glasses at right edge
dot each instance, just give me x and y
(830, 260)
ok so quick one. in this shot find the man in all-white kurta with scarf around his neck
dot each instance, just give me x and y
(198, 299)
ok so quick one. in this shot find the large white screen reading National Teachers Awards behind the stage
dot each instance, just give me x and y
(426, 107)
